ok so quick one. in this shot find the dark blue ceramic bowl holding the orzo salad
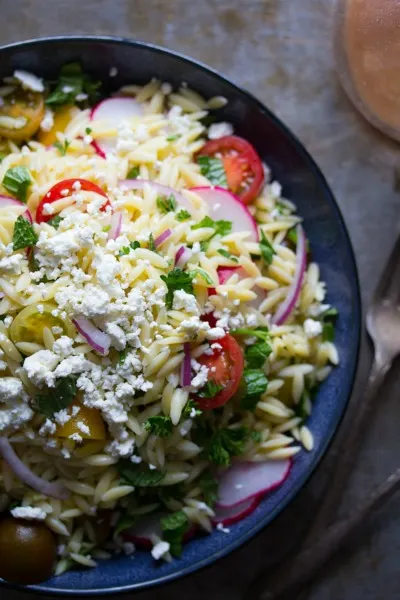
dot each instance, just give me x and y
(304, 184)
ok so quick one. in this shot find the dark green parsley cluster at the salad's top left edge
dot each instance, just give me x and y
(73, 82)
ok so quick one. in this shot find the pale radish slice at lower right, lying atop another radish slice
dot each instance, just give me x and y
(244, 481)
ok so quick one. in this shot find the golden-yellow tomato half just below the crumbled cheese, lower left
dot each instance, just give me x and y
(90, 418)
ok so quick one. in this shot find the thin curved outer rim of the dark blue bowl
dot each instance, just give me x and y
(249, 534)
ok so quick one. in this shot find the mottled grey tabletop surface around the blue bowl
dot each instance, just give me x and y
(281, 51)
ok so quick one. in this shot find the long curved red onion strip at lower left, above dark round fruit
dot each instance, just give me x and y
(52, 489)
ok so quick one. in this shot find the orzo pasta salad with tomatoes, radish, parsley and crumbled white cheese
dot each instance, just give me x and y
(163, 326)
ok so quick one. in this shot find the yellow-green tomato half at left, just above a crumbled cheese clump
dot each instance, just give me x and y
(28, 325)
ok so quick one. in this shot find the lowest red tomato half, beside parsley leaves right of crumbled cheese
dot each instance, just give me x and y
(225, 368)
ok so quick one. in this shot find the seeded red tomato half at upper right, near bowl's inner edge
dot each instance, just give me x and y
(243, 166)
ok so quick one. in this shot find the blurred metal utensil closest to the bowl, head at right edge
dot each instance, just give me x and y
(383, 325)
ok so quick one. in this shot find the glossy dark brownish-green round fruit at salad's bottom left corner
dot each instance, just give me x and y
(27, 551)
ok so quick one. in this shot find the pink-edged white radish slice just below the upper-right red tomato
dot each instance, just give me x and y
(226, 206)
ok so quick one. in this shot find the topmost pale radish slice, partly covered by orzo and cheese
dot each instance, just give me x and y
(113, 111)
